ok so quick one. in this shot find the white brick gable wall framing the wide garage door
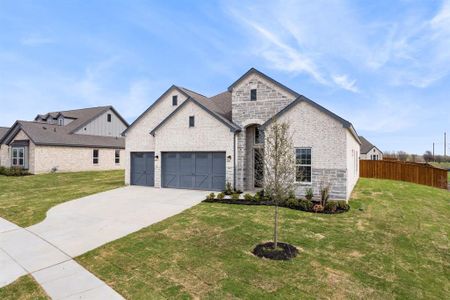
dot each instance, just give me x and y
(209, 134)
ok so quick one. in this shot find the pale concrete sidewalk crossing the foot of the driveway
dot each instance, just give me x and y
(22, 252)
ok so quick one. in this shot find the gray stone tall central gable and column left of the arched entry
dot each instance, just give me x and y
(270, 100)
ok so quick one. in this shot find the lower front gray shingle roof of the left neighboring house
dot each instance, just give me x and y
(54, 135)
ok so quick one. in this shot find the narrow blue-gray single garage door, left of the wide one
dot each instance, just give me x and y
(143, 168)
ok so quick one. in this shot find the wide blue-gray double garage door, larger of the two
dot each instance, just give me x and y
(194, 170)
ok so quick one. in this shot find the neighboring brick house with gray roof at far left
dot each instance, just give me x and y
(76, 140)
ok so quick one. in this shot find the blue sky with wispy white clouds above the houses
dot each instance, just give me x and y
(384, 66)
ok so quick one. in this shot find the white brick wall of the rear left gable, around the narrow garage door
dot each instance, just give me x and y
(138, 137)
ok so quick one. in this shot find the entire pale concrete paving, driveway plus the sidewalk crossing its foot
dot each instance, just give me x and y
(45, 250)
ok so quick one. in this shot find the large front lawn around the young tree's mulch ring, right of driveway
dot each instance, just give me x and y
(394, 243)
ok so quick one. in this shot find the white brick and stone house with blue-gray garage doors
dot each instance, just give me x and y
(187, 140)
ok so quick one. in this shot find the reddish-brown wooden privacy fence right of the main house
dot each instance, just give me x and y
(404, 171)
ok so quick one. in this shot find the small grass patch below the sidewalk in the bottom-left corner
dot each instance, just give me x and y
(24, 288)
